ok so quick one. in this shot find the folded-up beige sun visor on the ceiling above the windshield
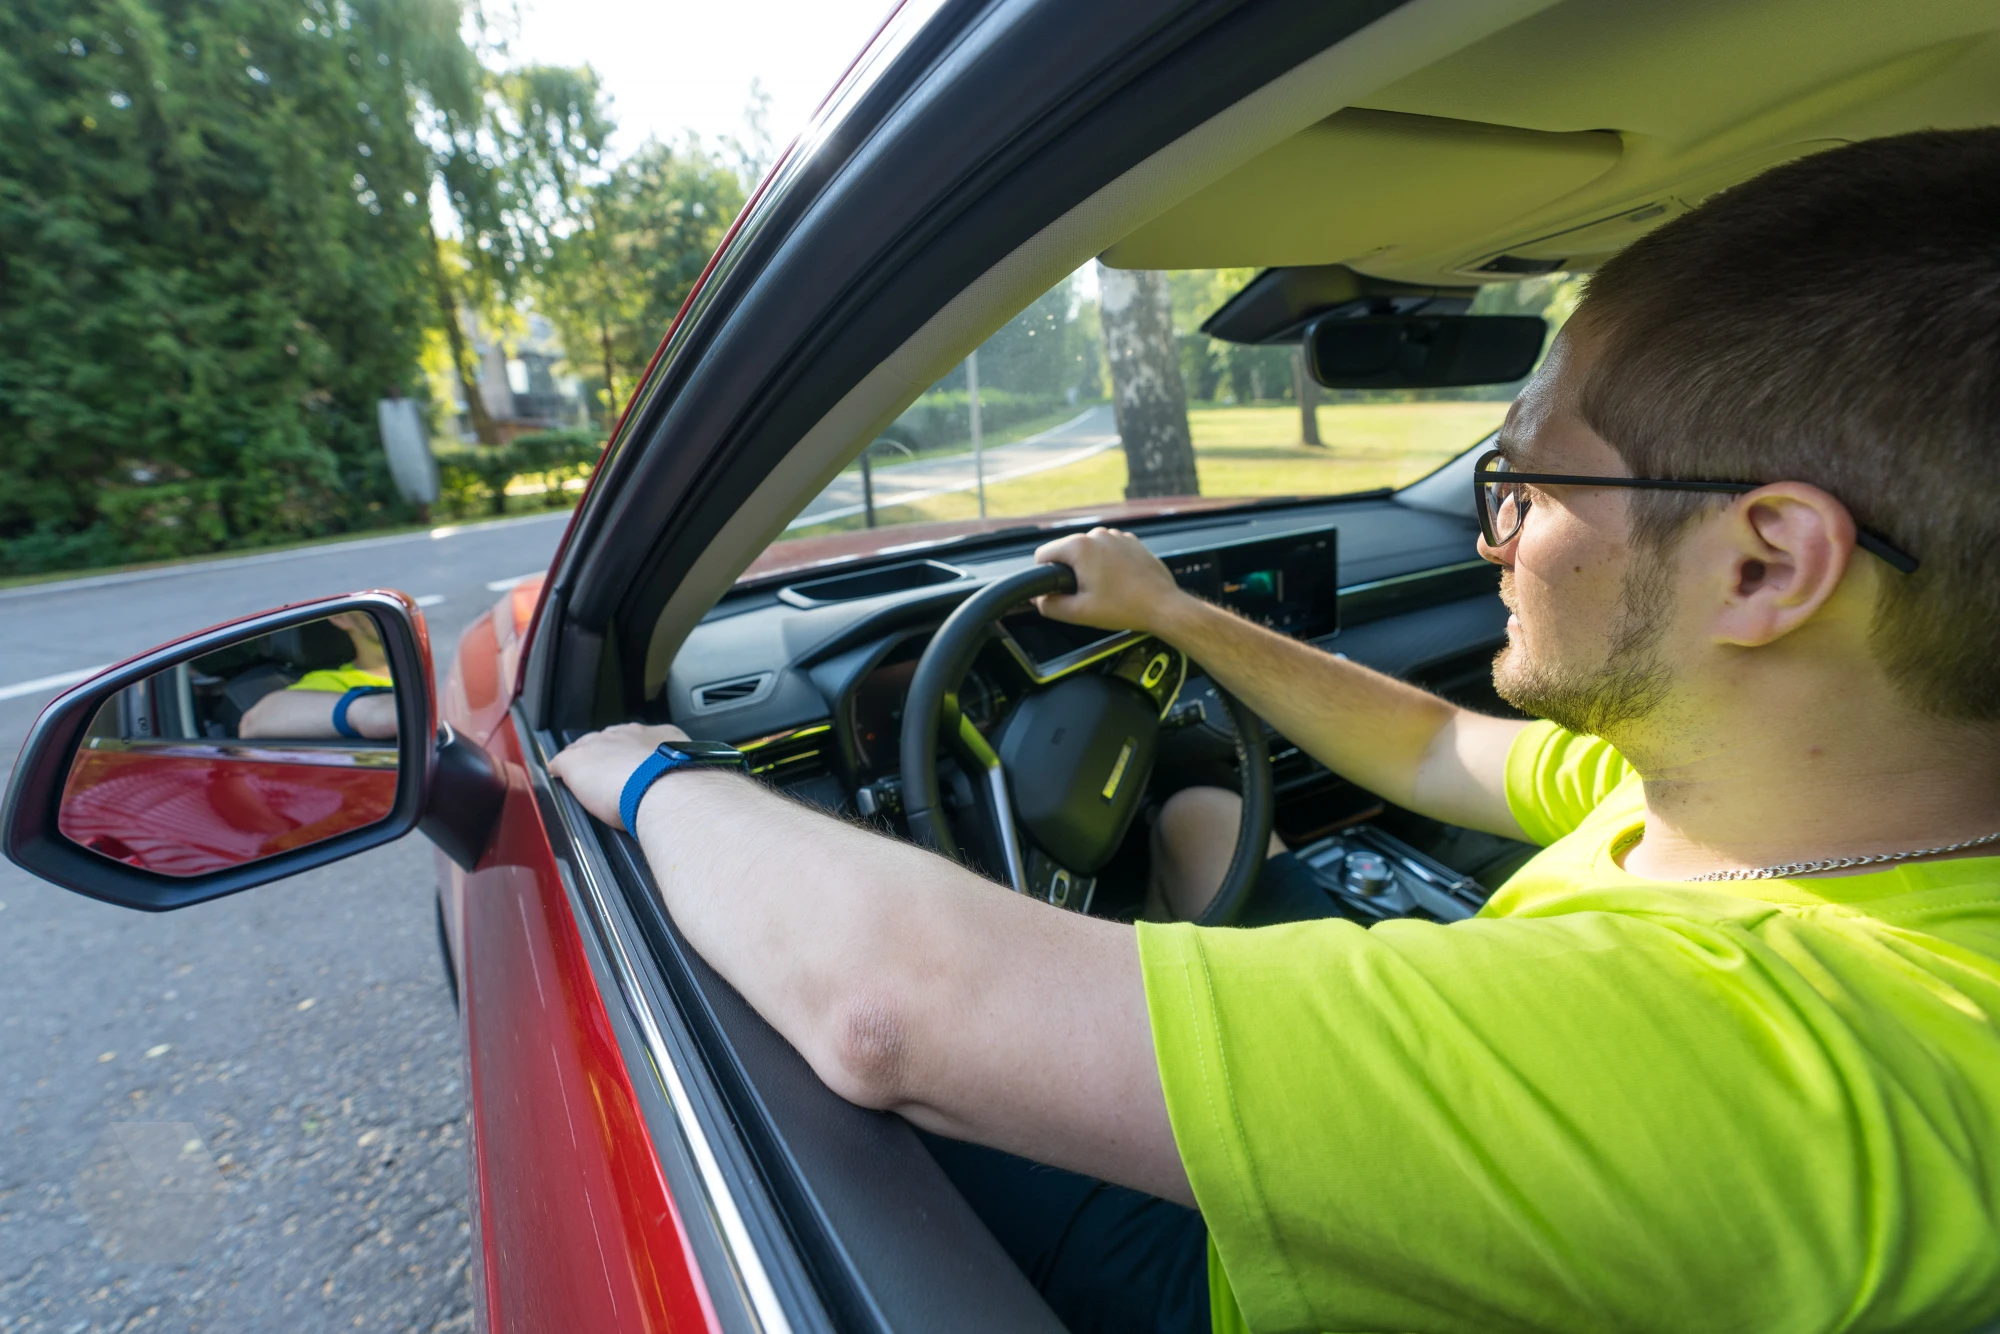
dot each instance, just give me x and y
(1365, 183)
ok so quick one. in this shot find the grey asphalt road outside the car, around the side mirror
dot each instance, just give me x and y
(297, 1041)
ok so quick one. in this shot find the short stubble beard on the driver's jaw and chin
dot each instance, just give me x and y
(1607, 697)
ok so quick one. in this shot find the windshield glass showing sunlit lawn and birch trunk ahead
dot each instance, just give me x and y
(1027, 429)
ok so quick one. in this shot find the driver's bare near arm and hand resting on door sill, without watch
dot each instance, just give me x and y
(909, 983)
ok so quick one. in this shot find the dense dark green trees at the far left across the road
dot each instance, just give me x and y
(211, 269)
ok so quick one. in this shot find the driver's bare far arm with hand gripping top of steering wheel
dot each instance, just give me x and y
(1385, 735)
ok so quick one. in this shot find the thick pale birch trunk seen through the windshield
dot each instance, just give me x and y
(1147, 393)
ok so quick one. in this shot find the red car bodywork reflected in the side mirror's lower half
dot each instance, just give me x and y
(187, 811)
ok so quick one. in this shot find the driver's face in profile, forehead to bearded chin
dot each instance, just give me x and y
(1589, 615)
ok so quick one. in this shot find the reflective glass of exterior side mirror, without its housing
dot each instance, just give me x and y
(277, 743)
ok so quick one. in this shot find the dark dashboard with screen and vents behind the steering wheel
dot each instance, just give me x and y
(809, 677)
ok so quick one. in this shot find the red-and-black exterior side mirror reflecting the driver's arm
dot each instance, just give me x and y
(245, 755)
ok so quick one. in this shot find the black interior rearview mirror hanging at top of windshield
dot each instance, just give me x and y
(1423, 353)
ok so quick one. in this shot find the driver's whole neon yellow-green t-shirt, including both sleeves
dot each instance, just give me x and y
(1605, 1103)
